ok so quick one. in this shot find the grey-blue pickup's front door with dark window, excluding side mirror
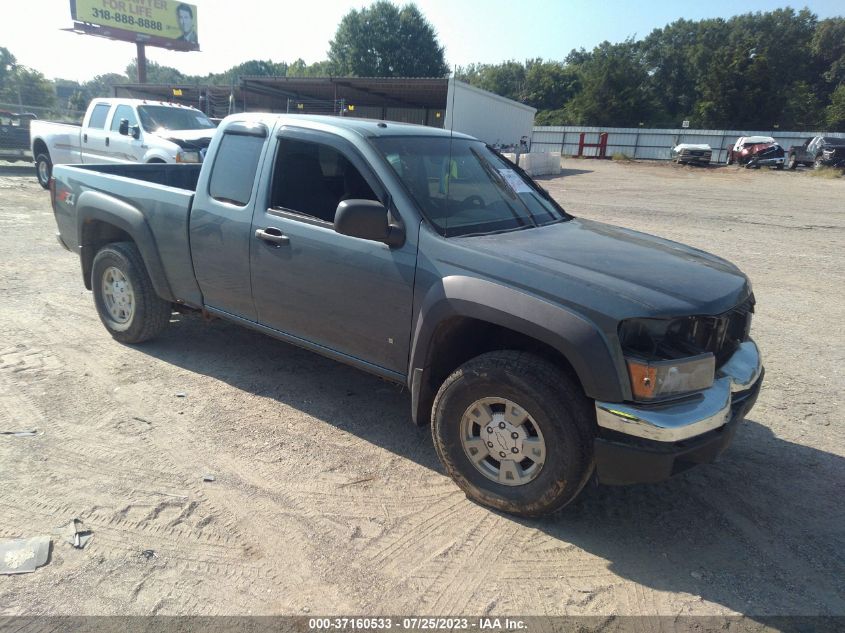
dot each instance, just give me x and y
(350, 295)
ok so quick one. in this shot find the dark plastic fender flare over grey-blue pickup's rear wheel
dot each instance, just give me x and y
(96, 206)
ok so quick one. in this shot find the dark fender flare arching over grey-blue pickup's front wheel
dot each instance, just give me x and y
(576, 338)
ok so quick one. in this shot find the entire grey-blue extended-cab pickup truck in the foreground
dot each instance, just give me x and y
(543, 349)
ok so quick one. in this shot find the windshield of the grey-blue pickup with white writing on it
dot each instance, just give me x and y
(463, 187)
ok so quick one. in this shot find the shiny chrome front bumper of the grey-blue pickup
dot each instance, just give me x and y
(679, 420)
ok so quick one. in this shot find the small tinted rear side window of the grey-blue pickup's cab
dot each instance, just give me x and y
(234, 168)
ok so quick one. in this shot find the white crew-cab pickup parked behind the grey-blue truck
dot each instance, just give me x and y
(122, 131)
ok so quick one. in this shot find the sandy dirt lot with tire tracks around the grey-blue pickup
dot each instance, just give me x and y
(327, 500)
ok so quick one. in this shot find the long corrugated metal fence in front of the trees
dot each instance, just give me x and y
(652, 144)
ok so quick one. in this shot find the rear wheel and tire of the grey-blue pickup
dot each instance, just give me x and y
(124, 295)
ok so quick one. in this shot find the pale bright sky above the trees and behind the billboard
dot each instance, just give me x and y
(234, 31)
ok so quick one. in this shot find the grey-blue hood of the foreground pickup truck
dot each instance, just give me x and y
(621, 272)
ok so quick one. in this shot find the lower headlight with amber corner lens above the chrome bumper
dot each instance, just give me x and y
(655, 380)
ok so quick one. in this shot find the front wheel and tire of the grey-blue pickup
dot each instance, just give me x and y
(547, 409)
